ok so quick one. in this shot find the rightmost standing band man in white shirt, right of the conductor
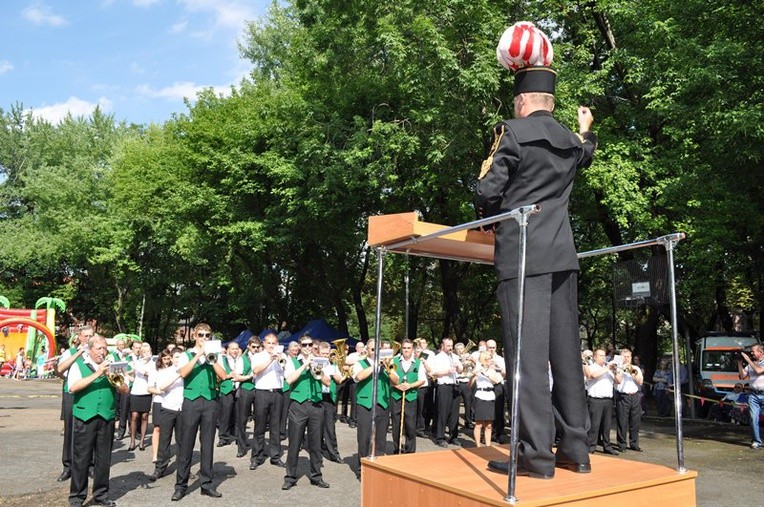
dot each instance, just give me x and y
(628, 407)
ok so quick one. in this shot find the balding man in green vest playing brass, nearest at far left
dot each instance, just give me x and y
(94, 408)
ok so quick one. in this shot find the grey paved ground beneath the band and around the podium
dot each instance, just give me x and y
(30, 449)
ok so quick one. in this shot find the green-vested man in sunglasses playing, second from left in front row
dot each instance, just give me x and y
(199, 413)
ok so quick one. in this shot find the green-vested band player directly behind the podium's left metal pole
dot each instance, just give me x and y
(363, 374)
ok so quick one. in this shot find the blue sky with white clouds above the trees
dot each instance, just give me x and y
(137, 59)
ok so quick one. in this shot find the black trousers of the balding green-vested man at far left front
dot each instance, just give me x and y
(93, 437)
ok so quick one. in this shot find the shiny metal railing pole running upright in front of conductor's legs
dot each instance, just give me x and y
(514, 437)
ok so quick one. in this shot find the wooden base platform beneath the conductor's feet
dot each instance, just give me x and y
(461, 477)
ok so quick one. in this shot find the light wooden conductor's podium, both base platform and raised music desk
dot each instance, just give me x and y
(461, 477)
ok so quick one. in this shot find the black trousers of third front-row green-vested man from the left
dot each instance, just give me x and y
(301, 416)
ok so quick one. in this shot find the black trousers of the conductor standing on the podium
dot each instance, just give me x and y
(550, 338)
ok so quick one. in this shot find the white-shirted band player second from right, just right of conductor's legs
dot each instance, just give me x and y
(600, 379)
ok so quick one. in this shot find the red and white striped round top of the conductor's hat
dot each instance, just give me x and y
(524, 45)
